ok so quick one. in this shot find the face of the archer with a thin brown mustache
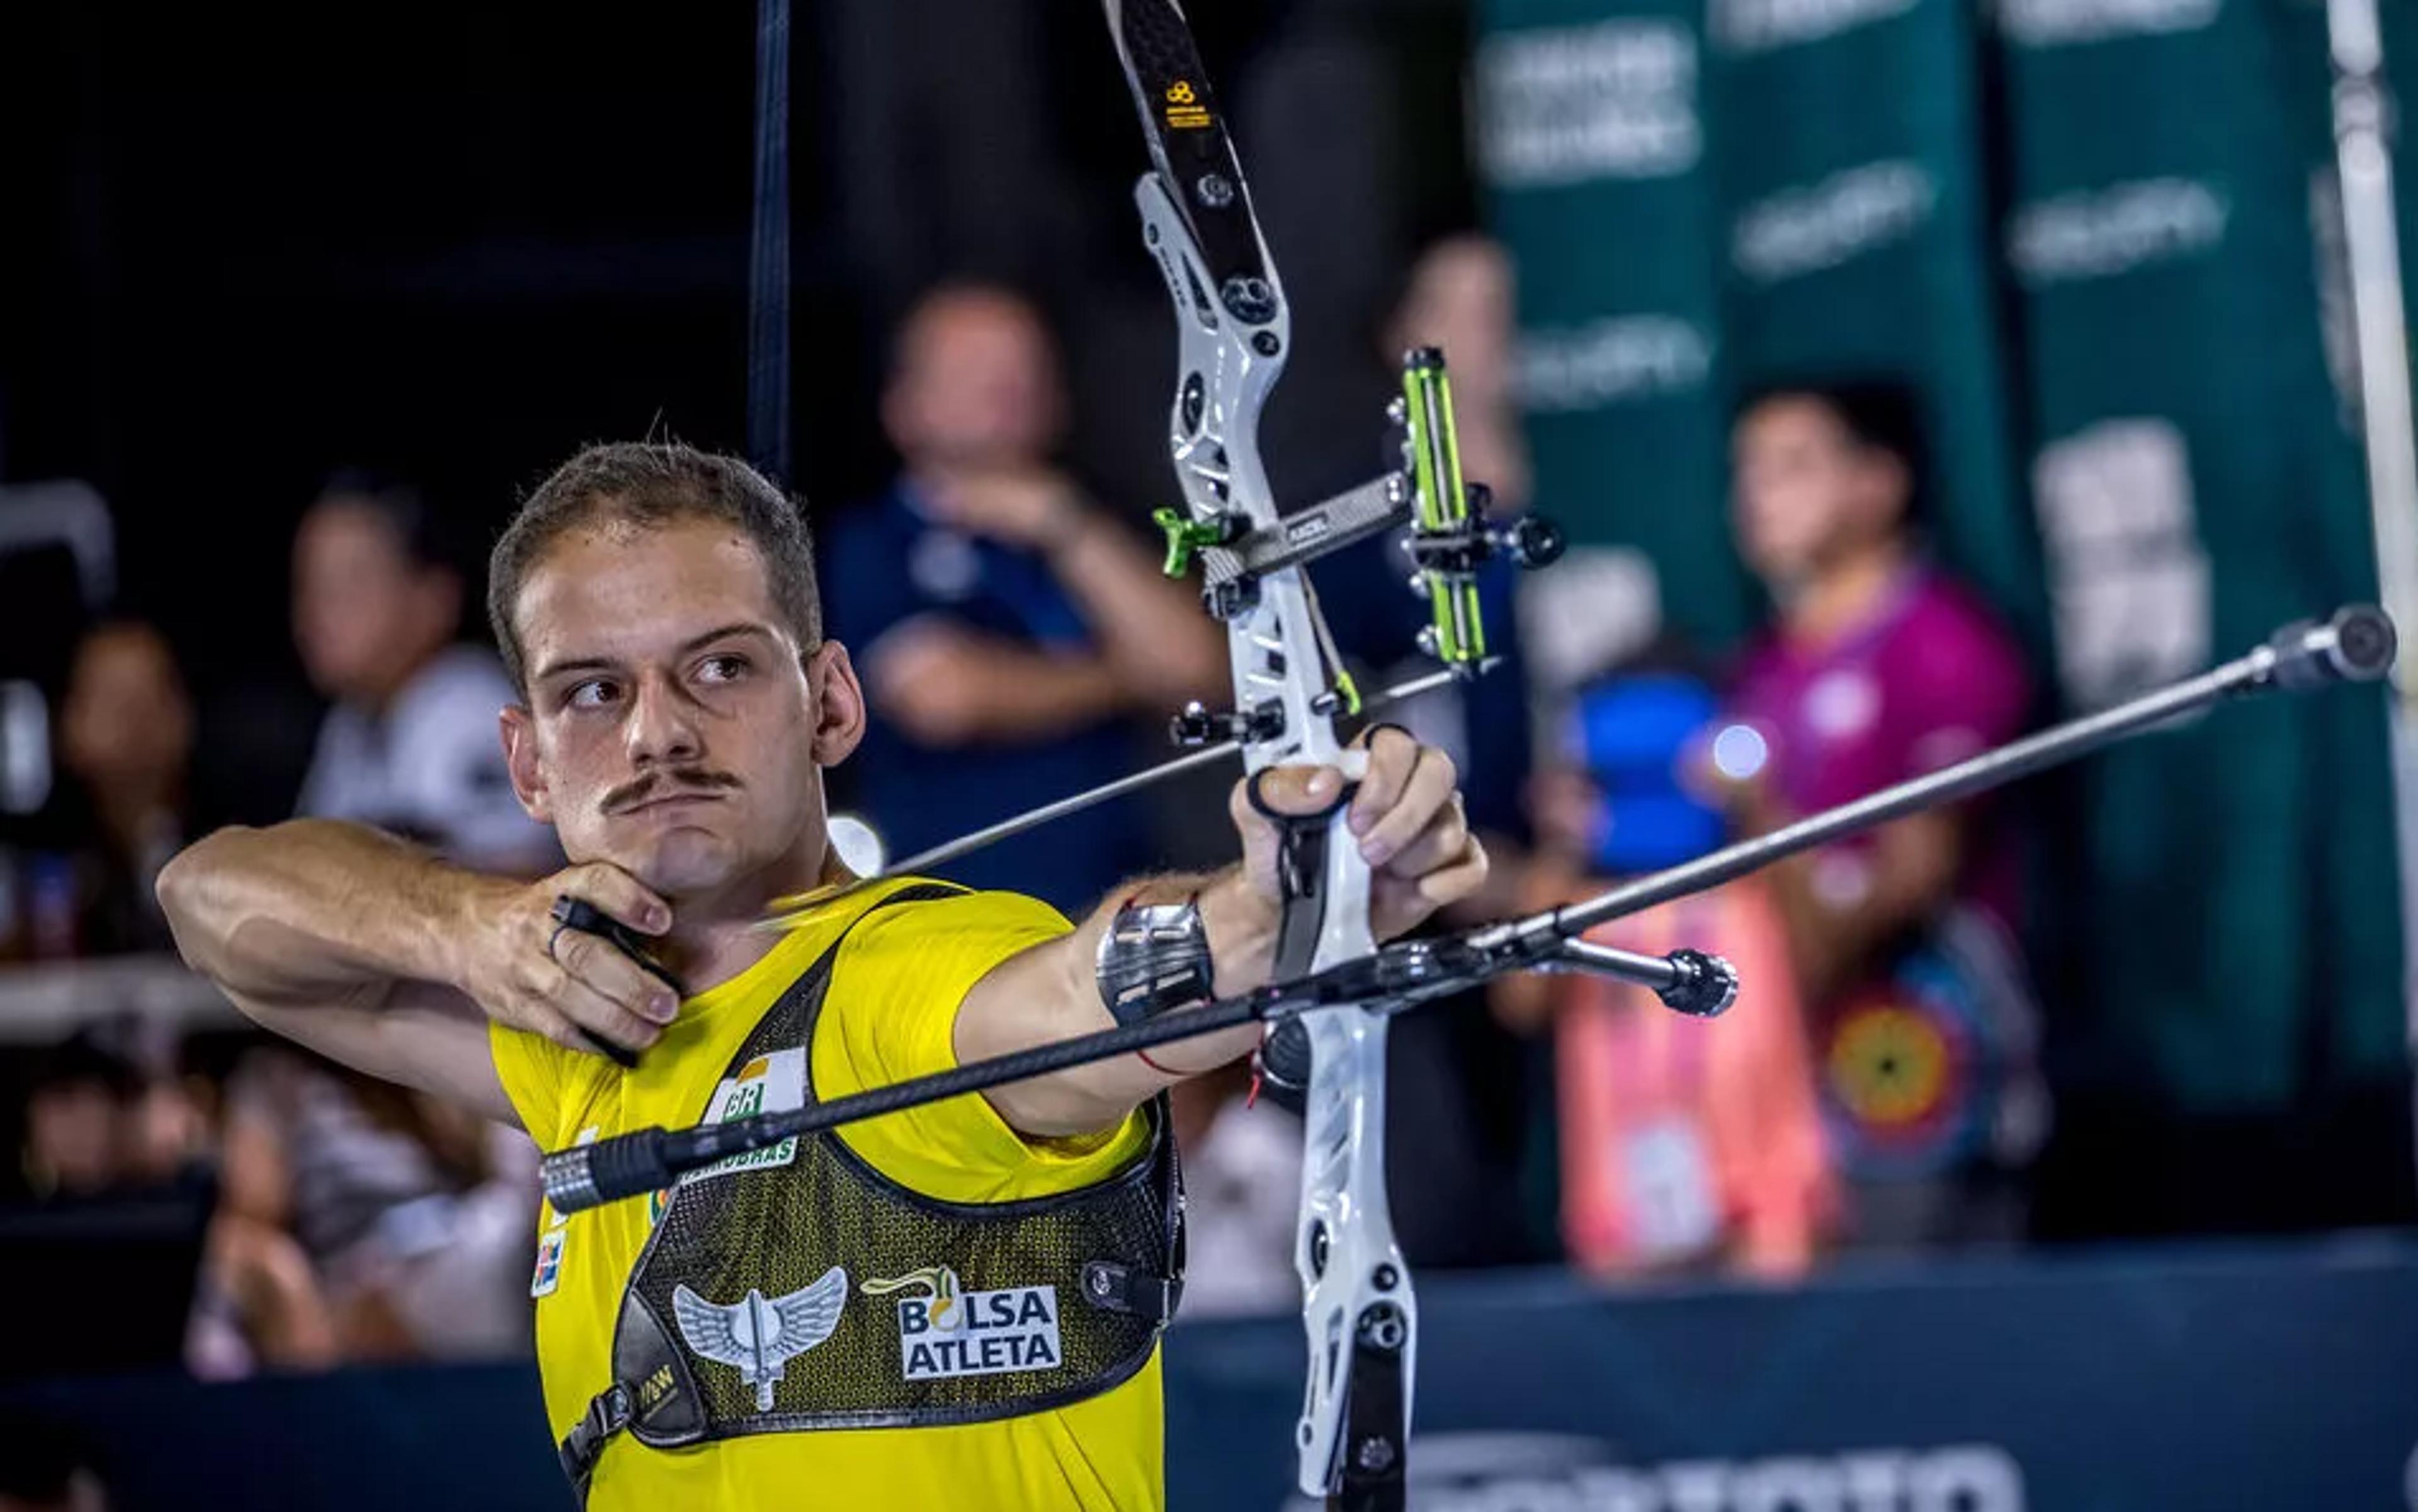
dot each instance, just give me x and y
(671, 727)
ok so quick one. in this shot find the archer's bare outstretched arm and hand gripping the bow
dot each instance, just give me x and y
(1421, 853)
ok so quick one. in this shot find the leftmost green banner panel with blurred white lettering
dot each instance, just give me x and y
(1590, 134)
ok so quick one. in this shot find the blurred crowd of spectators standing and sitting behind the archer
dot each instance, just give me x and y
(1875, 1087)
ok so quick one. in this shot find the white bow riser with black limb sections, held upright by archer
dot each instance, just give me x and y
(1234, 335)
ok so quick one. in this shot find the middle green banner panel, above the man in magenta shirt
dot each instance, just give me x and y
(1858, 241)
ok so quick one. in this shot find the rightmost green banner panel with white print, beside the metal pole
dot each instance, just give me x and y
(2197, 487)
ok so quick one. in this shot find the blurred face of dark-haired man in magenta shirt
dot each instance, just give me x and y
(1807, 490)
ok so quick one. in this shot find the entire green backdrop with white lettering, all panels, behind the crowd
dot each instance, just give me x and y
(2115, 275)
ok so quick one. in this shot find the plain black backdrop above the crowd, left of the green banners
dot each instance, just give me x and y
(456, 243)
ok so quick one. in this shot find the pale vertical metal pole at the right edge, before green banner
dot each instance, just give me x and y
(2371, 236)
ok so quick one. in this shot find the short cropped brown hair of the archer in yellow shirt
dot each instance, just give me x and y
(652, 485)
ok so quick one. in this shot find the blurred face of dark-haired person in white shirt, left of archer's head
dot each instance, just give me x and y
(364, 611)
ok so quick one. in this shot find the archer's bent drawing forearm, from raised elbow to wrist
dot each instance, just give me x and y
(316, 911)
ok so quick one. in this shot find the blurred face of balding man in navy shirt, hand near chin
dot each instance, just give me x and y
(976, 386)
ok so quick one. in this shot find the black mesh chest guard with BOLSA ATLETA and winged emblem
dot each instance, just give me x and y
(799, 1288)
